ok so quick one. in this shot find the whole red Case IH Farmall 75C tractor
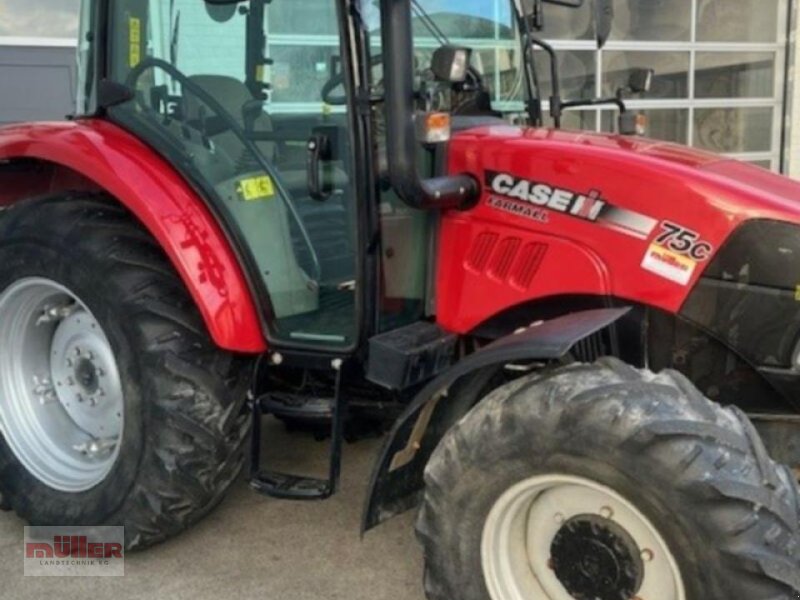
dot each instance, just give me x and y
(586, 347)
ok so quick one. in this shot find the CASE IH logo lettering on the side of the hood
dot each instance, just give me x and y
(584, 206)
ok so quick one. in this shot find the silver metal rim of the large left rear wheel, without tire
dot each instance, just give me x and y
(61, 399)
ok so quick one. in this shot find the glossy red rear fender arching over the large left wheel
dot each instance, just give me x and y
(124, 167)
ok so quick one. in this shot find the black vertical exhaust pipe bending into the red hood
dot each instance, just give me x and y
(457, 191)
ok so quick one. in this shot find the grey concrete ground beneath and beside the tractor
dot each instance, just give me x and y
(255, 547)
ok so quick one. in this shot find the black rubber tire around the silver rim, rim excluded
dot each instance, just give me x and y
(184, 428)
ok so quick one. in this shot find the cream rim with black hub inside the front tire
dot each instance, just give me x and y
(559, 537)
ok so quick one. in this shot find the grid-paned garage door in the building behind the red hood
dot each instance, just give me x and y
(719, 64)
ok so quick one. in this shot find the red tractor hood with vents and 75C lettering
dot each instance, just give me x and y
(627, 217)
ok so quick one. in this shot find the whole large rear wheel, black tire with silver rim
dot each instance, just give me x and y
(138, 418)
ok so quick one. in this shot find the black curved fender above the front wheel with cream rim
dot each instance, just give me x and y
(397, 478)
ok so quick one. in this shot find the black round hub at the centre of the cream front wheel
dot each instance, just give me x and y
(596, 559)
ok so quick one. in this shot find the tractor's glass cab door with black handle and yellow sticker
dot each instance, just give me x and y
(235, 96)
